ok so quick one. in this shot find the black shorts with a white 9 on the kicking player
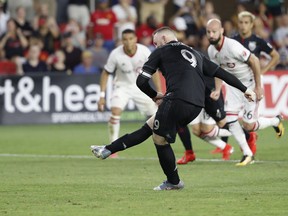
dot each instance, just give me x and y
(171, 115)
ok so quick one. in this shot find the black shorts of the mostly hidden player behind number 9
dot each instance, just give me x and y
(215, 109)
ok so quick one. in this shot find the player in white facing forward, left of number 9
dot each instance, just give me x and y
(126, 62)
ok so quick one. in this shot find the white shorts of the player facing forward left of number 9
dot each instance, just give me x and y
(122, 94)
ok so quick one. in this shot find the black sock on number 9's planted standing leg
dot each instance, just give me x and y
(167, 161)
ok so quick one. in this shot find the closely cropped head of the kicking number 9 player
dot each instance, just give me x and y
(163, 36)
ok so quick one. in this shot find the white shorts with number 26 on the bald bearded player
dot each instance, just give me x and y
(235, 103)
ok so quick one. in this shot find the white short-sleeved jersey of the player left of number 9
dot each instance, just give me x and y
(126, 68)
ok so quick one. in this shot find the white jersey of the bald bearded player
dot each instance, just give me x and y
(232, 57)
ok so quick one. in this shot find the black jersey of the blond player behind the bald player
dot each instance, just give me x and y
(255, 44)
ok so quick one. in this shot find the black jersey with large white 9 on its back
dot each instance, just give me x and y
(184, 69)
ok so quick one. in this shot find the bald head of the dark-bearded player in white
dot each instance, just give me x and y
(214, 31)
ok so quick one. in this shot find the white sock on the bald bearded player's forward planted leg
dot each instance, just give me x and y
(237, 131)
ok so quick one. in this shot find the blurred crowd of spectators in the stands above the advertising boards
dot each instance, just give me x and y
(66, 36)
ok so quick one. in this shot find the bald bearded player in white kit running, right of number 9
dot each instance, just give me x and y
(239, 61)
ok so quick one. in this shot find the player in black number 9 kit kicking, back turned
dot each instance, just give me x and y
(183, 69)
